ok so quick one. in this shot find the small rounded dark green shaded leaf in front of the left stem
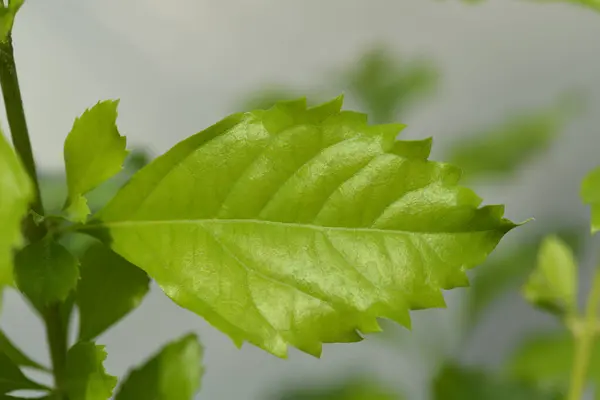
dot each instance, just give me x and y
(46, 272)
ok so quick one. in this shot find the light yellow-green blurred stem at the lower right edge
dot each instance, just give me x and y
(584, 341)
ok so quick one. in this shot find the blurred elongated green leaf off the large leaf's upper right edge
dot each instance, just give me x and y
(504, 148)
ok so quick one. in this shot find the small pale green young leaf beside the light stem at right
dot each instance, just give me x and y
(552, 285)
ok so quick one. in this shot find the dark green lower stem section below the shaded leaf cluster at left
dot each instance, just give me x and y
(56, 335)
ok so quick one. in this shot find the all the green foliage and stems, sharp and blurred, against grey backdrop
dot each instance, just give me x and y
(282, 226)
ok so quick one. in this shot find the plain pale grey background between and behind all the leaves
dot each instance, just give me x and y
(180, 65)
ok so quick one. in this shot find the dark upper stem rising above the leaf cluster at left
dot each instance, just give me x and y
(18, 130)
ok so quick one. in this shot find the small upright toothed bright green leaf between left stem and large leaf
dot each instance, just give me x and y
(94, 152)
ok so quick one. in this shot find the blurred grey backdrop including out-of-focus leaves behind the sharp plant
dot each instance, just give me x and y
(509, 90)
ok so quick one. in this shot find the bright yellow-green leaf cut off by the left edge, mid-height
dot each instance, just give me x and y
(16, 192)
